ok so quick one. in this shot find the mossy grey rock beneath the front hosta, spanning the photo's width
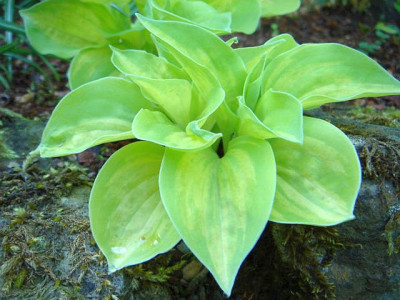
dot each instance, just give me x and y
(48, 252)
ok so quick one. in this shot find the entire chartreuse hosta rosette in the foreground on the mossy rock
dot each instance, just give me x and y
(225, 146)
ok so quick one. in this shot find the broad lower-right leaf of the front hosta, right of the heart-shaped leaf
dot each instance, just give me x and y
(318, 181)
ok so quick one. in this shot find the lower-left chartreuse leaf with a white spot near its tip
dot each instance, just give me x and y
(127, 217)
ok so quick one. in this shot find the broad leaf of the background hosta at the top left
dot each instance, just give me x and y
(63, 28)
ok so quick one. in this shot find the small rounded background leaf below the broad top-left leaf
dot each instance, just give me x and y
(91, 64)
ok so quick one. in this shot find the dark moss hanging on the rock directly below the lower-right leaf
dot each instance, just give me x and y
(303, 253)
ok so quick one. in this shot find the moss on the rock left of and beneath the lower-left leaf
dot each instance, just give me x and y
(47, 240)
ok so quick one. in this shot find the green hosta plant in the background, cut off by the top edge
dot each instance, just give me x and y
(85, 29)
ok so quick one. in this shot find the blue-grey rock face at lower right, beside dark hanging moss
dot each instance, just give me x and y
(370, 269)
